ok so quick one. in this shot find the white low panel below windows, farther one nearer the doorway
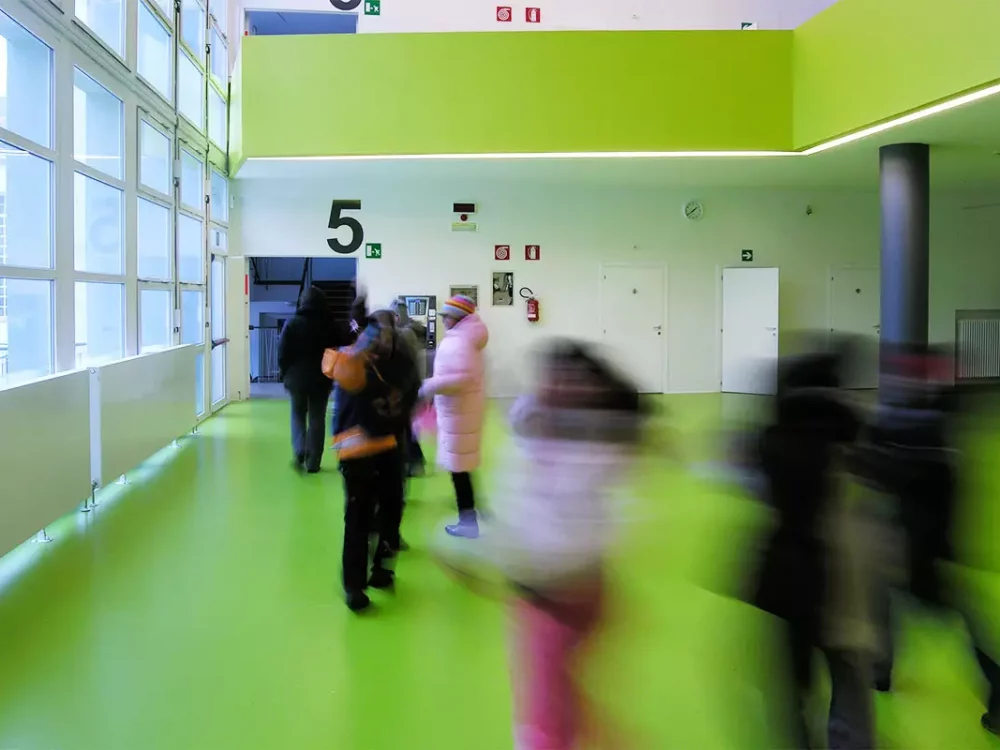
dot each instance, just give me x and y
(139, 405)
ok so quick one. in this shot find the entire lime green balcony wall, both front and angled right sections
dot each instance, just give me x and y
(858, 63)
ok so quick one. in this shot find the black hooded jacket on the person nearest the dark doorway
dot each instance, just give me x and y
(304, 339)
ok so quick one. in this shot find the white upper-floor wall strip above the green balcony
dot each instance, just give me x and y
(404, 16)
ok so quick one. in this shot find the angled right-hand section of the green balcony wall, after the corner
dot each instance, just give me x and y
(861, 62)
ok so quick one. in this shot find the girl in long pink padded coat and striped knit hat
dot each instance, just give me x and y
(460, 400)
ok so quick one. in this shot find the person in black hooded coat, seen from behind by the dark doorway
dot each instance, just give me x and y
(300, 356)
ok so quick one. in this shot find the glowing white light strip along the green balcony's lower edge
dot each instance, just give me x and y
(561, 155)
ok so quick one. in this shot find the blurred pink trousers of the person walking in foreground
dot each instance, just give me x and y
(549, 640)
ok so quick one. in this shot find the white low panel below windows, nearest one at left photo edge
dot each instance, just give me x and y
(44, 453)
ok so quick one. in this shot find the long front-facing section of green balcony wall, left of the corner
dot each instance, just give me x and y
(503, 92)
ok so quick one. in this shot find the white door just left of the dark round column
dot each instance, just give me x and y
(854, 312)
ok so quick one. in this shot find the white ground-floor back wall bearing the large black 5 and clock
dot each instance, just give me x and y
(581, 227)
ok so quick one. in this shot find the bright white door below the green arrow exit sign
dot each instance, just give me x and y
(750, 330)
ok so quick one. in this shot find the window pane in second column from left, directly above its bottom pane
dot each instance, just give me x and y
(98, 245)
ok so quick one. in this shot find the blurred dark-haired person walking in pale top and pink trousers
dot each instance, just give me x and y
(574, 441)
